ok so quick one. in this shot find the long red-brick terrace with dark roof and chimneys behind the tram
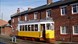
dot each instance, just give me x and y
(64, 14)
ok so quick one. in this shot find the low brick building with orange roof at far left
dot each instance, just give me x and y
(5, 29)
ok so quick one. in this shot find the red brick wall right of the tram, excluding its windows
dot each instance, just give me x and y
(65, 21)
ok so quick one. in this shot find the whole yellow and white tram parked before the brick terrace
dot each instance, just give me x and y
(43, 29)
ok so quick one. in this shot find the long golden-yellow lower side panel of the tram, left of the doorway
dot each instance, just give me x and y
(29, 34)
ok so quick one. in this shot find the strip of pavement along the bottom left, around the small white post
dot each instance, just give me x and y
(7, 40)
